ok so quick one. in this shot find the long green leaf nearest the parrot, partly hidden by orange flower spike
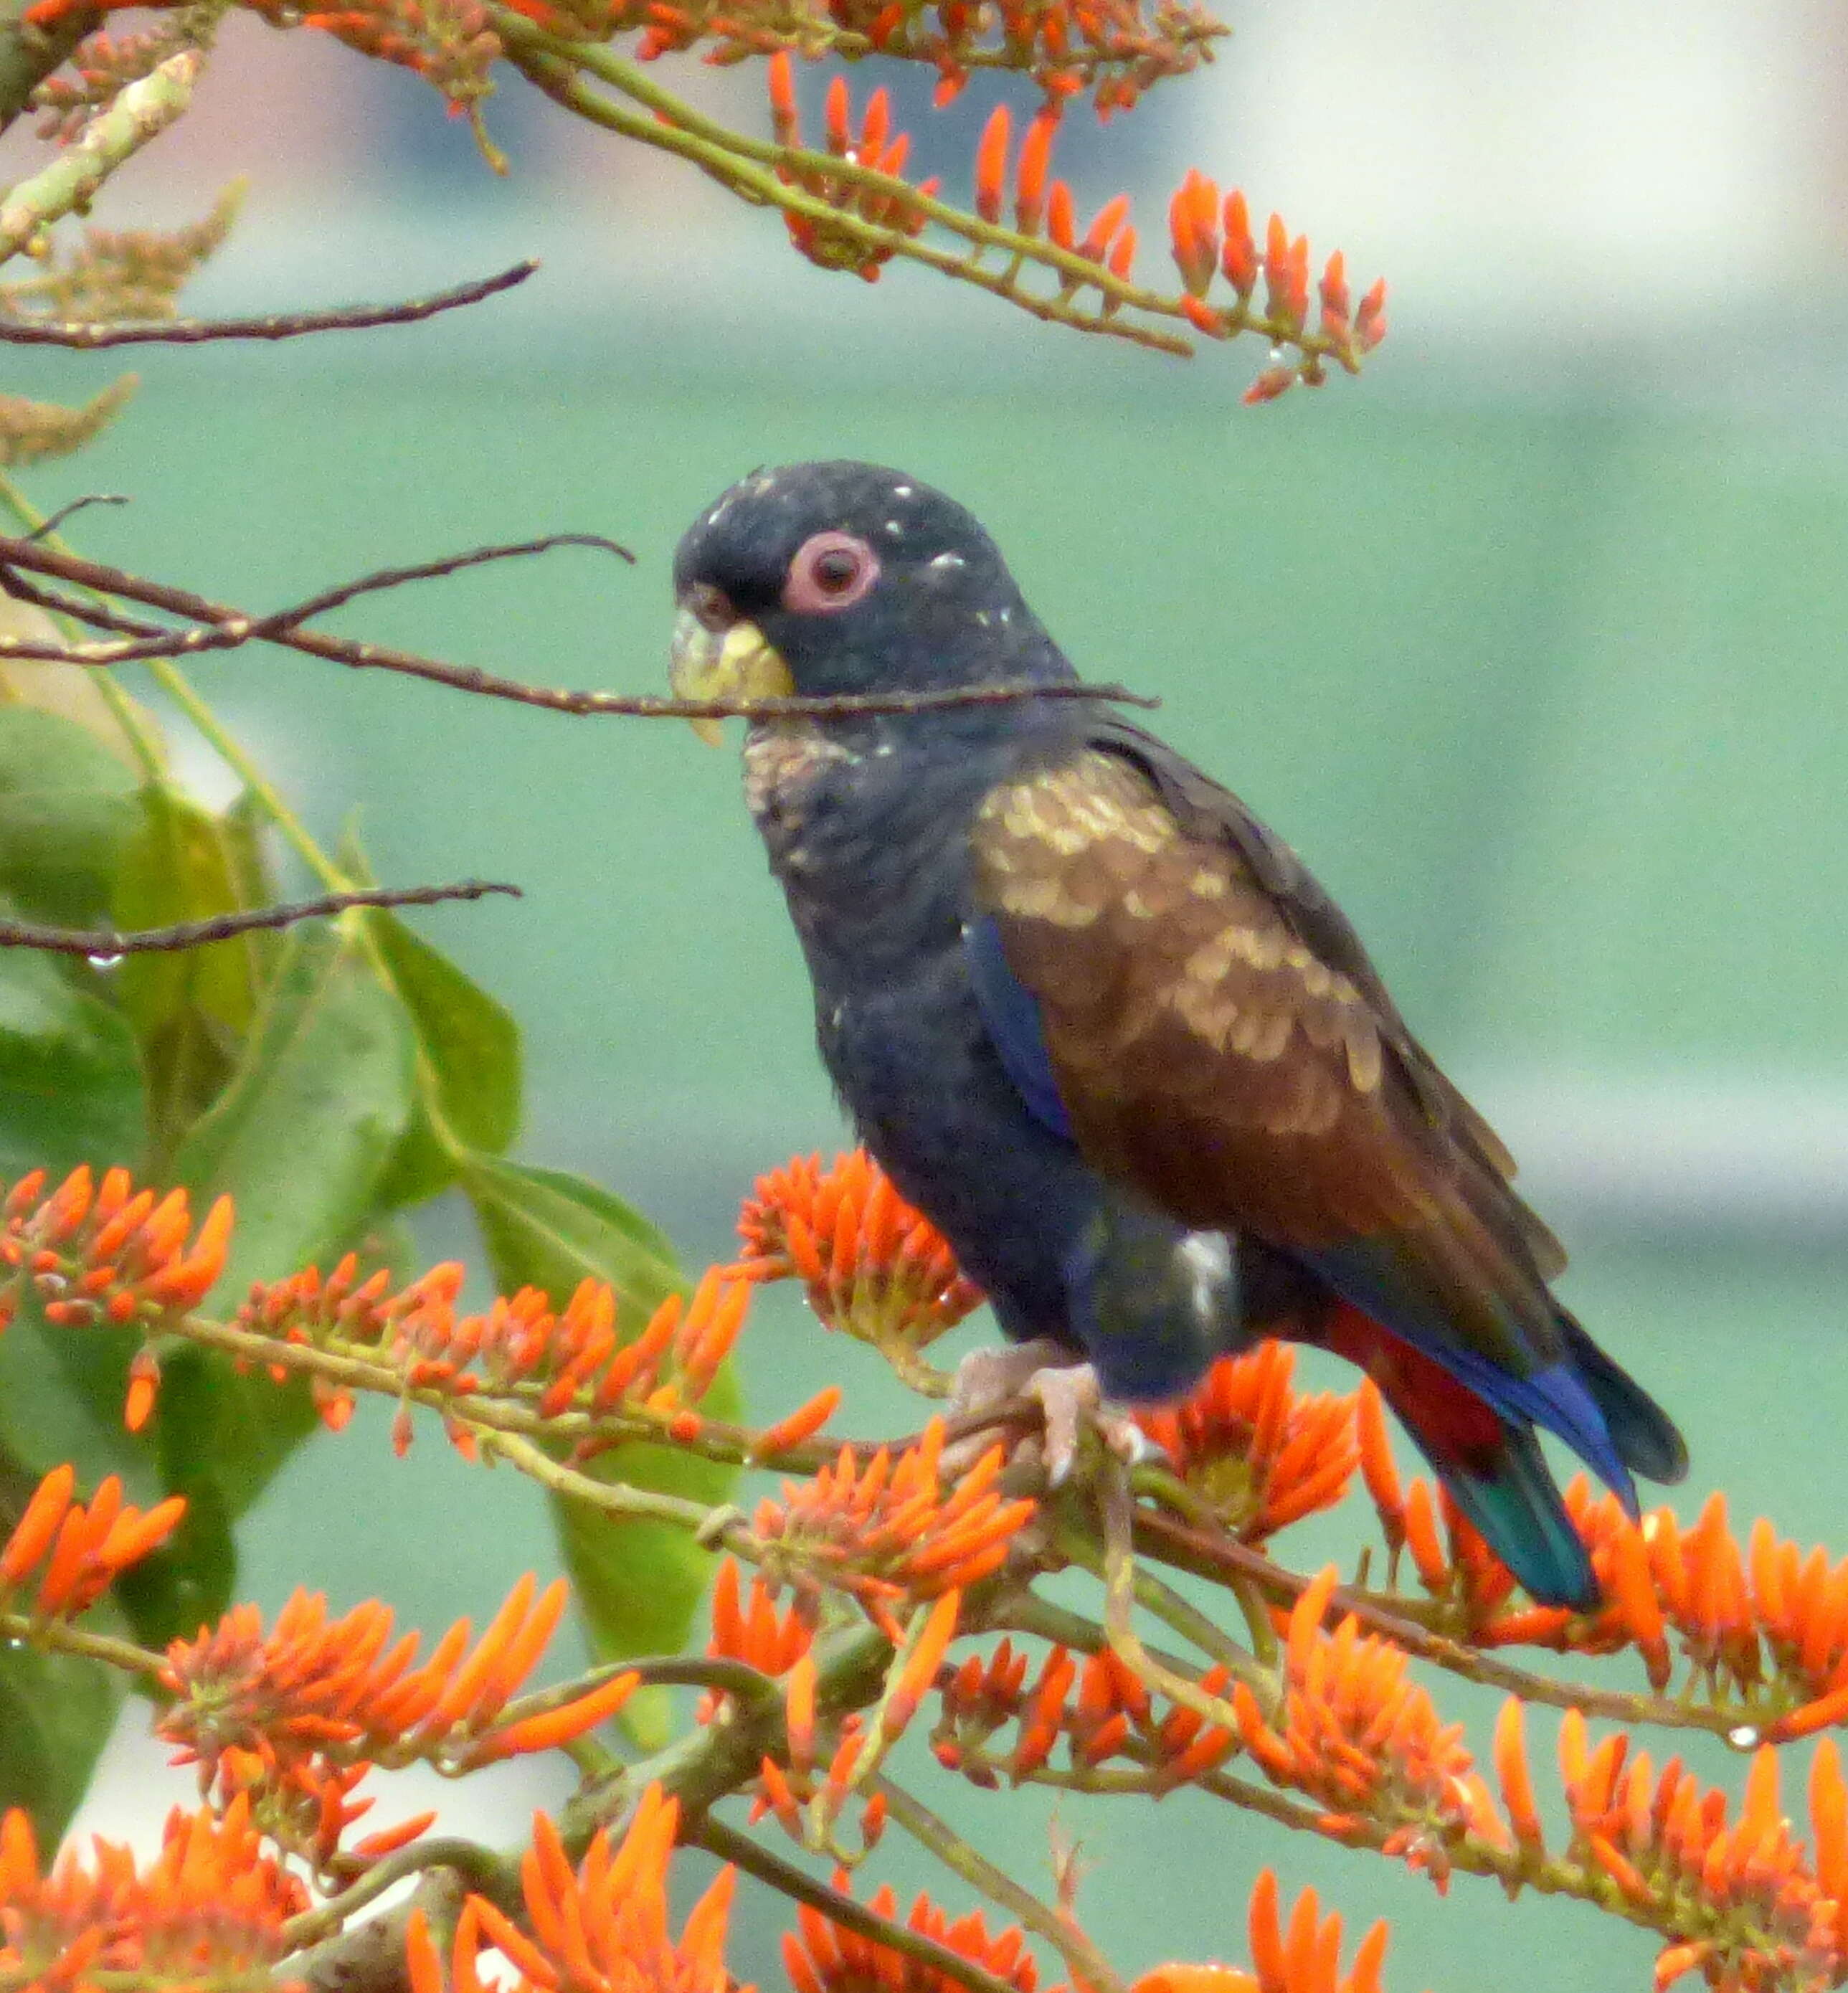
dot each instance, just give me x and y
(637, 1581)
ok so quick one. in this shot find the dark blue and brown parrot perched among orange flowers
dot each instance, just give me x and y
(1111, 1035)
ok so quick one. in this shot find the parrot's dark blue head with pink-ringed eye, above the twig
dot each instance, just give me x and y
(846, 579)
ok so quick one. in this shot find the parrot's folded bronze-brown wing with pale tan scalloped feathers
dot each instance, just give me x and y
(1223, 1043)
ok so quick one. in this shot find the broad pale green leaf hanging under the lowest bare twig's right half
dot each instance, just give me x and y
(320, 1101)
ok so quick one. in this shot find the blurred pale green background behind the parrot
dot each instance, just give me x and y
(1544, 677)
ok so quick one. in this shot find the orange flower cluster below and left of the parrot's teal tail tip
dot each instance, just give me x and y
(1365, 1739)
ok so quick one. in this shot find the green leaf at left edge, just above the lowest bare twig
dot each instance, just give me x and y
(67, 806)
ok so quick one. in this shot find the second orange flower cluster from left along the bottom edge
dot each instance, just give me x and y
(601, 1928)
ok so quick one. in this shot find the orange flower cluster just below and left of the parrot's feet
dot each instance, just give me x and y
(888, 1528)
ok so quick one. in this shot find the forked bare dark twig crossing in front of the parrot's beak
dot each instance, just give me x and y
(218, 627)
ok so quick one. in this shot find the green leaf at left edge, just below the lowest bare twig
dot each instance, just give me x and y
(71, 1079)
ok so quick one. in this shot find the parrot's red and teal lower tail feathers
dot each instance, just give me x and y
(1488, 1462)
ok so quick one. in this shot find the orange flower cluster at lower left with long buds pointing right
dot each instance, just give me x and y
(296, 1717)
